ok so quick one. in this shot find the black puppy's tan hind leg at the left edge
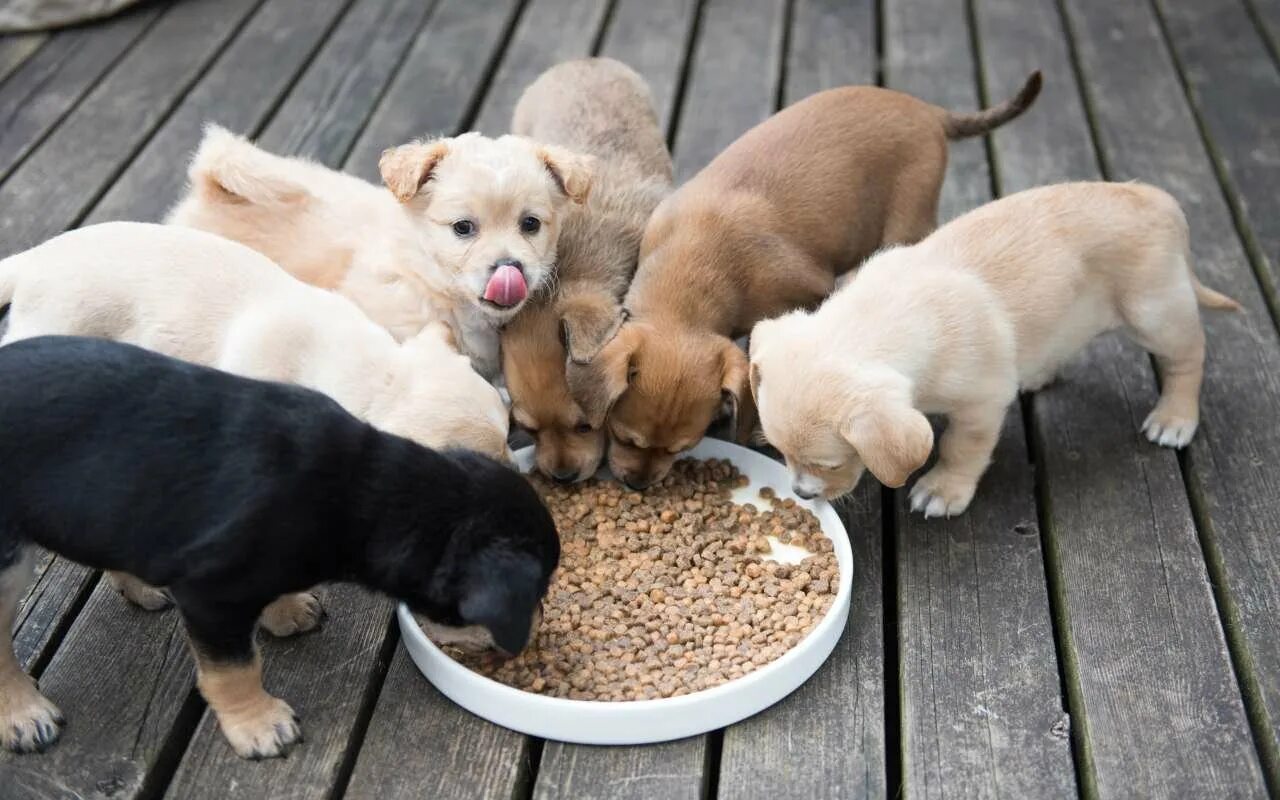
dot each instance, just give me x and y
(29, 723)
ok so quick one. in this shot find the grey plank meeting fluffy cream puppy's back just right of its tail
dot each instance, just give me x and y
(328, 108)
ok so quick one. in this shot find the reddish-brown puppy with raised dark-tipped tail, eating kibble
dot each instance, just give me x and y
(765, 228)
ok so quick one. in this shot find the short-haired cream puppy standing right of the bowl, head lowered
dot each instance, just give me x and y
(994, 303)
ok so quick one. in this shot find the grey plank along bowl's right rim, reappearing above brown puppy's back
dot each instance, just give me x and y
(829, 738)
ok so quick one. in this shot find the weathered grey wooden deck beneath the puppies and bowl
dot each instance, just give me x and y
(1104, 623)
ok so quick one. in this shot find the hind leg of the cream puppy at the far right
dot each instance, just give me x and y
(1168, 324)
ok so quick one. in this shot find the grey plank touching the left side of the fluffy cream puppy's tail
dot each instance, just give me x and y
(241, 89)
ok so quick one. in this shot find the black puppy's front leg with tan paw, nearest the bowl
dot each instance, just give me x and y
(230, 676)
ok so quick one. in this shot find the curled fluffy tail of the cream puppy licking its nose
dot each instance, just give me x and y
(228, 168)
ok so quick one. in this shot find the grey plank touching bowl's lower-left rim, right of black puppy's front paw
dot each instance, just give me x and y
(419, 744)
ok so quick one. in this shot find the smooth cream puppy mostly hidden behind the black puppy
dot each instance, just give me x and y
(204, 299)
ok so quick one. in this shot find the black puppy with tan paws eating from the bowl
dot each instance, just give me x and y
(232, 492)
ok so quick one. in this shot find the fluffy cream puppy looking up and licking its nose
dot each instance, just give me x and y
(465, 236)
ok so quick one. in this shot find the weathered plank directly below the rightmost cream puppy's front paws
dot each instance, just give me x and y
(982, 707)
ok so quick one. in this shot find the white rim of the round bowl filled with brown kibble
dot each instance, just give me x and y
(636, 723)
